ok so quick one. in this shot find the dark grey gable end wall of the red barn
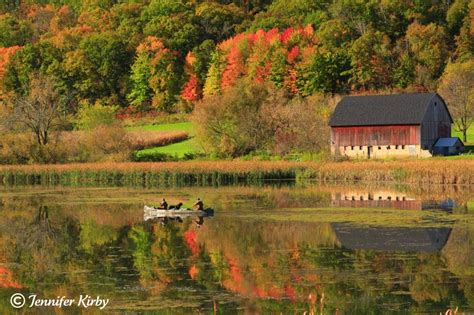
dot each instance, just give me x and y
(436, 123)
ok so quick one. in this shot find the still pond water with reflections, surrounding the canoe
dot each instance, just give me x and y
(273, 249)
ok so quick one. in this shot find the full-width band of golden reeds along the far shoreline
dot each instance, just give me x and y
(231, 172)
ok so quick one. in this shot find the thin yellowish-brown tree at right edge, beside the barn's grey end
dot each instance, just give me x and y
(457, 88)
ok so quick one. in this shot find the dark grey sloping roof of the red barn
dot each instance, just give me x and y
(395, 109)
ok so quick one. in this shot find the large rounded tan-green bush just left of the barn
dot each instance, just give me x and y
(258, 117)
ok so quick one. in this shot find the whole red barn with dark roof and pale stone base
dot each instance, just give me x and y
(389, 125)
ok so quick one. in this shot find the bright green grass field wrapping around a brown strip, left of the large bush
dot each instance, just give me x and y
(178, 150)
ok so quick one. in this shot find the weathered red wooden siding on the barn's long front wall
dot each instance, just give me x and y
(375, 135)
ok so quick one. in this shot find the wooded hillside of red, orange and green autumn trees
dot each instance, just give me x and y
(166, 55)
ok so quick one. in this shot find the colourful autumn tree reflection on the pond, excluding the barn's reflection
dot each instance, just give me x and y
(258, 266)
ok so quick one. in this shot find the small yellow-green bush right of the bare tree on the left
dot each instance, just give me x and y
(91, 116)
